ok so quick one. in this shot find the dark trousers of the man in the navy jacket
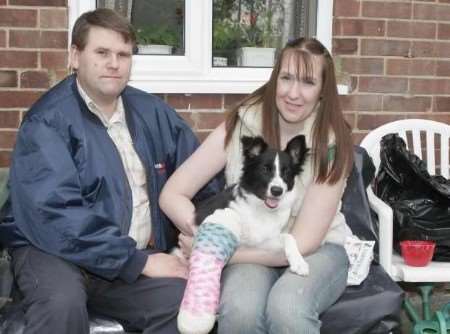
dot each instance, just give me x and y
(57, 296)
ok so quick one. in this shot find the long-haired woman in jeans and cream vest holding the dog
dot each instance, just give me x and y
(299, 98)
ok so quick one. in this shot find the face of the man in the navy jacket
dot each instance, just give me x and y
(104, 66)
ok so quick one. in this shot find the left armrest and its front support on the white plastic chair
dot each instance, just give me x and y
(385, 229)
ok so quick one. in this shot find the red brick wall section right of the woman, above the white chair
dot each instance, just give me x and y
(395, 57)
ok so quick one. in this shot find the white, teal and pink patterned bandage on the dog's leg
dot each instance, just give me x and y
(214, 244)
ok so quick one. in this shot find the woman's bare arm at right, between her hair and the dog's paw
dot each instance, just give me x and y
(317, 212)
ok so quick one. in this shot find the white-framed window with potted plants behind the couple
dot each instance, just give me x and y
(193, 64)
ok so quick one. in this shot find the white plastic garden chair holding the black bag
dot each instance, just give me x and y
(417, 130)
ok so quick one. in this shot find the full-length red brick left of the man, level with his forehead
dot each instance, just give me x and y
(38, 39)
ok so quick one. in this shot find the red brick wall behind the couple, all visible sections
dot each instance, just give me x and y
(392, 55)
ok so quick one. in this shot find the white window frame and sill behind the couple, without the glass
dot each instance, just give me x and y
(193, 72)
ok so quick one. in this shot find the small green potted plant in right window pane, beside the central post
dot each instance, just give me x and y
(226, 37)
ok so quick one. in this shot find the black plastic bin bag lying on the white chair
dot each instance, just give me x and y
(420, 201)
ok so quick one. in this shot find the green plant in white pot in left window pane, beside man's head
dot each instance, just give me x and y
(156, 39)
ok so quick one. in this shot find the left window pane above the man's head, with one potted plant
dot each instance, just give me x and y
(159, 24)
